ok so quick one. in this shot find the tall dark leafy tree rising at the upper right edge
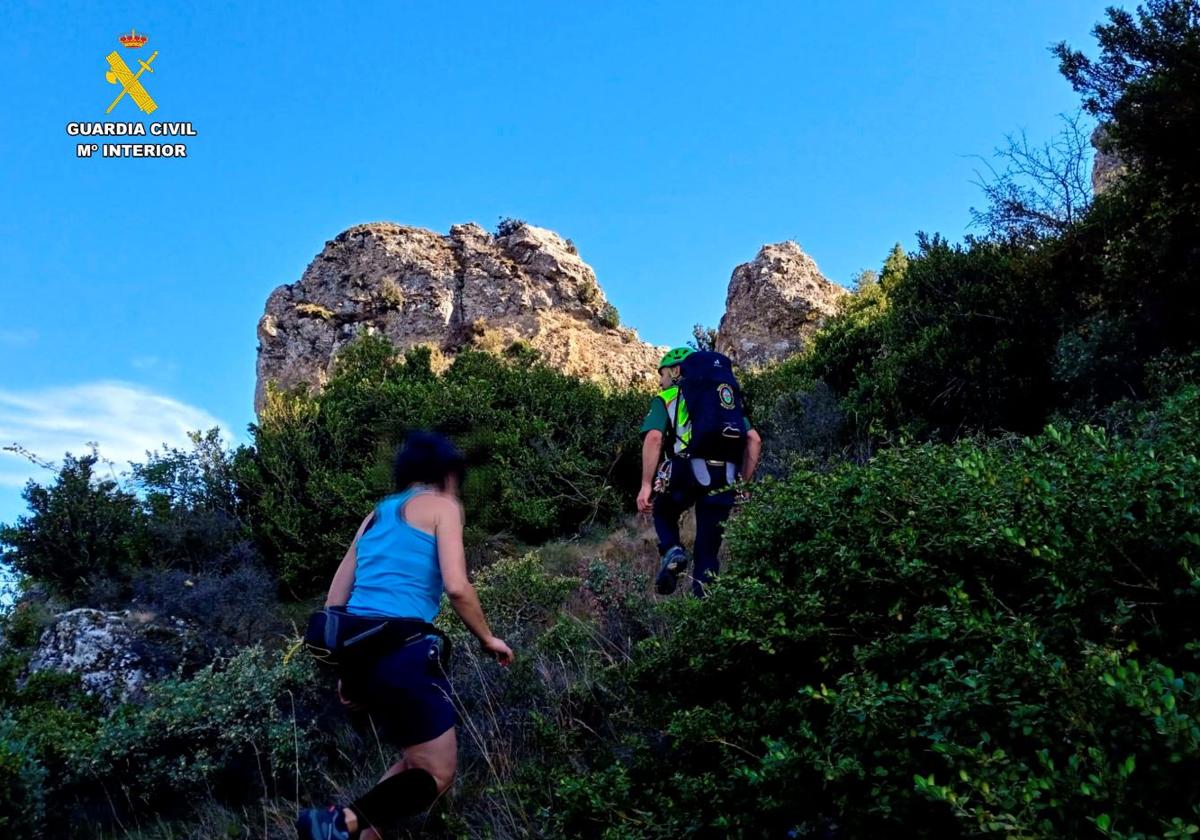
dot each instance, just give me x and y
(1143, 241)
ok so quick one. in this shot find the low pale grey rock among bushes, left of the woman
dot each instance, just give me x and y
(116, 655)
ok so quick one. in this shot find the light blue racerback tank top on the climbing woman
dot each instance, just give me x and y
(398, 573)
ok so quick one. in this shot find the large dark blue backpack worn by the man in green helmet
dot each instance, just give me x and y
(716, 411)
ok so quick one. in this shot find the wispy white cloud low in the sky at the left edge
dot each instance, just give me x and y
(125, 421)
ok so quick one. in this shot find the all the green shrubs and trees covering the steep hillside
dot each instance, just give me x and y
(963, 604)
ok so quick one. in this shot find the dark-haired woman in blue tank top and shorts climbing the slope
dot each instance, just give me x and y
(405, 555)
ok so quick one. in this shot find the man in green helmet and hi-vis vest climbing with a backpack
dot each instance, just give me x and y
(682, 470)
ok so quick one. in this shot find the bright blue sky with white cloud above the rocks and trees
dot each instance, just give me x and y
(669, 141)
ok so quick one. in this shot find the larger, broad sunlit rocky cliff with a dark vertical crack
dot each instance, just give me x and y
(467, 289)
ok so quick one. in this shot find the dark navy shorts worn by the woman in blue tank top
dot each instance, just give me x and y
(406, 694)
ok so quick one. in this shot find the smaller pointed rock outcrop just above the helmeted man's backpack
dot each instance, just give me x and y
(775, 305)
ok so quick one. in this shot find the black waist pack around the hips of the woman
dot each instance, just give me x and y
(338, 638)
